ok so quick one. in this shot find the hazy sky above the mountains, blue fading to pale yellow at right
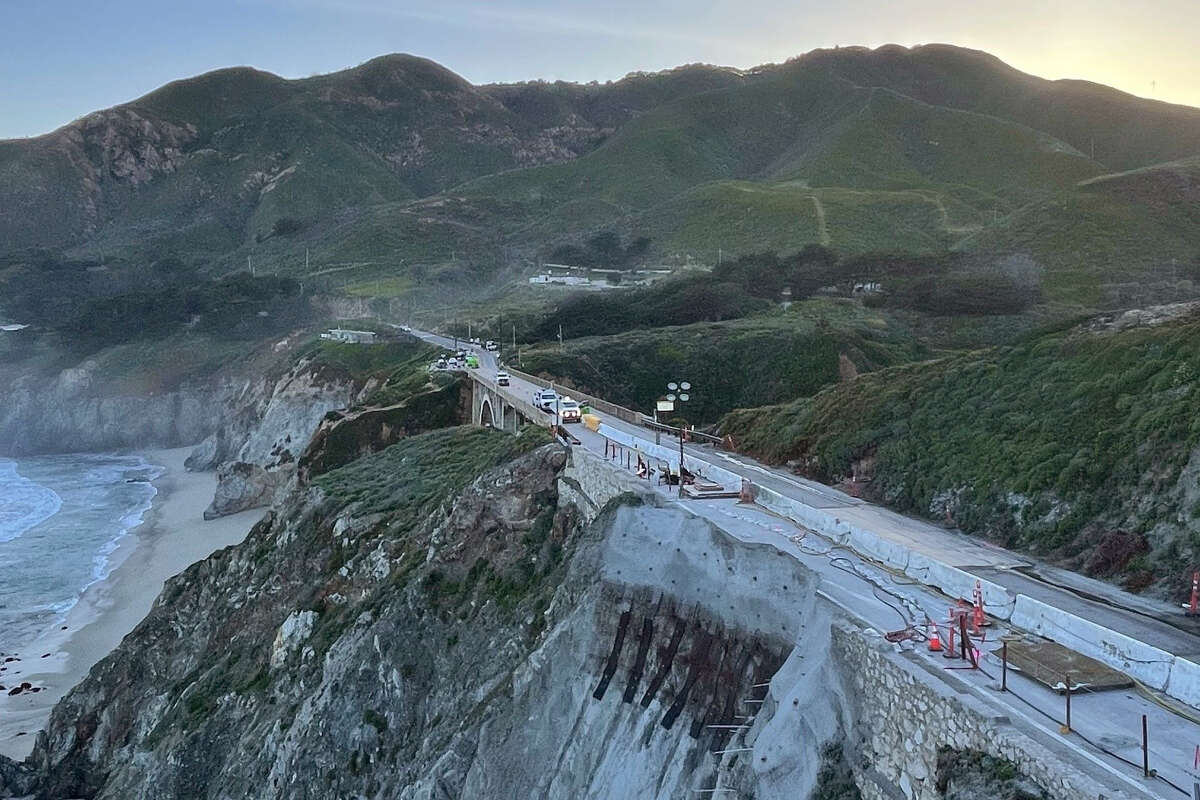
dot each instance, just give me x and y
(63, 59)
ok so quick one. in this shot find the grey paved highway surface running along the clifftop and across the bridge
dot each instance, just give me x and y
(1109, 720)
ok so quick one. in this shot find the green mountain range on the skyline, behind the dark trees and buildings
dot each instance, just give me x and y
(398, 176)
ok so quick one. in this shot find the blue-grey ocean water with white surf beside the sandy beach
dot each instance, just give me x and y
(62, 519)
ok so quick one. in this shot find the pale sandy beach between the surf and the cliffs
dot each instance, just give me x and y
(173, 537)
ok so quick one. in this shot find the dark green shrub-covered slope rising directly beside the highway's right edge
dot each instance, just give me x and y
(1089, 432)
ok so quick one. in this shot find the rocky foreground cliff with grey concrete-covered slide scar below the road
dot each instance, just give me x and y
(416, 627)
